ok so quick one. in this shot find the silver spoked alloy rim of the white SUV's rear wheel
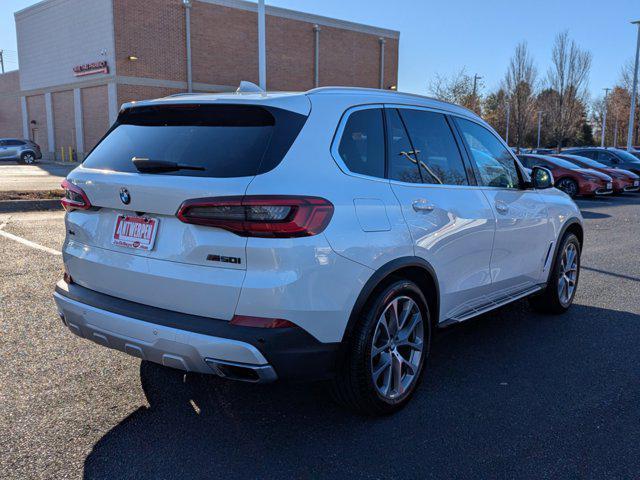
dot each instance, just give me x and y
(397, 348)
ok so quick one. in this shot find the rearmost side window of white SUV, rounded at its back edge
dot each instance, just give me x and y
(362, 143)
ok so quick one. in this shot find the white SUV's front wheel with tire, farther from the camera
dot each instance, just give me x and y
(561, 288)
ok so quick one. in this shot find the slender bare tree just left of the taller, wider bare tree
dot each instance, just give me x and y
(519, 86)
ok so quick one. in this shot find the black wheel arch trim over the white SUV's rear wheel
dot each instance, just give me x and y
(381, 275)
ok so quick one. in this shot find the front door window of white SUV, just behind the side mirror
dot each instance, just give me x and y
(495, 164)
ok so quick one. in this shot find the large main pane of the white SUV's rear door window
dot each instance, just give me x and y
(435, 148)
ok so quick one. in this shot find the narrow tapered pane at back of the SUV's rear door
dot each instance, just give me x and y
(403, 165)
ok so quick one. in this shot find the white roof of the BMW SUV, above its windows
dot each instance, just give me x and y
(299, 101)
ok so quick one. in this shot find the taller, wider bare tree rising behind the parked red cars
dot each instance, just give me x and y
(568, 76)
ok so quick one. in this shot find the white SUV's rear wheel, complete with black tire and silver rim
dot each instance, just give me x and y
(385, 358)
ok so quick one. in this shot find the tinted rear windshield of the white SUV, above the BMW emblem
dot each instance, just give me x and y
(224, 140)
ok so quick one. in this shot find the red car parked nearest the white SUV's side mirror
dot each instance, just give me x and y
(569, 177)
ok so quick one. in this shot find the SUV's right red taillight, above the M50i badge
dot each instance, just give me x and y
(274, 216)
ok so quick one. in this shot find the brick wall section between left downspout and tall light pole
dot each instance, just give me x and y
(223, 44)
